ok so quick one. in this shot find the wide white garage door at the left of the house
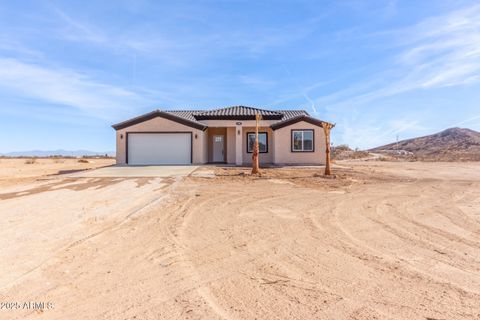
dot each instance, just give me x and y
(159, 148)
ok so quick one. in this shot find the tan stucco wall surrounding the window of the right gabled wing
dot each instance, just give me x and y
(283, 153)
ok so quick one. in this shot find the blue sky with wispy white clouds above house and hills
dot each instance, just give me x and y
(378, 69)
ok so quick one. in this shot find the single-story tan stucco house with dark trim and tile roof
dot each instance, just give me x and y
(225, 135)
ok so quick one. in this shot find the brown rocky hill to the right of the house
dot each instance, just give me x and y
(455, 144)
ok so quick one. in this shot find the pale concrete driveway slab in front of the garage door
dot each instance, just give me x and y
(135, 172)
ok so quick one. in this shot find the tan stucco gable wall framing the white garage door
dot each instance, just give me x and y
(159, 124)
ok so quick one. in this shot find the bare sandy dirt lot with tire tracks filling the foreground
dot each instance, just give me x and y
(381, 241)
